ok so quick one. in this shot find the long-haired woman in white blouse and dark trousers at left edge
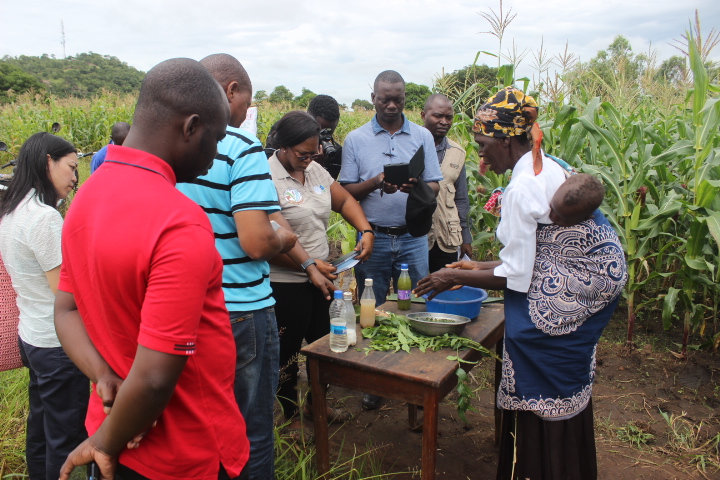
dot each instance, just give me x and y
(30, 228)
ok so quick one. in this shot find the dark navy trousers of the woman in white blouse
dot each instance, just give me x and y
(59, 394)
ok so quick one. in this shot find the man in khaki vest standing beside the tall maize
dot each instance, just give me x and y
(450, 229)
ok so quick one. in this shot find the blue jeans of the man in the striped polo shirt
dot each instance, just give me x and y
(256, 380)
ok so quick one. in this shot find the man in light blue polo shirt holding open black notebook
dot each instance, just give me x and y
(388, 138)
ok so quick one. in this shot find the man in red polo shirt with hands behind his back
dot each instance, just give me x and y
(140, 307)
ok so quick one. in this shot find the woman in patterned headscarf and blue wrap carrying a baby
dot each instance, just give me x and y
(561, 286)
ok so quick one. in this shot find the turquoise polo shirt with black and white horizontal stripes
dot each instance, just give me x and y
(238, 180)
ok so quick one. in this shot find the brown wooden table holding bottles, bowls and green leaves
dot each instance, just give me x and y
(416, 378)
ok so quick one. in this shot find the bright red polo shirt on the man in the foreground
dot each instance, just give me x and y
(141, 262)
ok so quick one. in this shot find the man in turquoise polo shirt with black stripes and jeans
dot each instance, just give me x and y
(238, 195)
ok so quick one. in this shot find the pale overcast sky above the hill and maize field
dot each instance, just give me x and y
(338, 47)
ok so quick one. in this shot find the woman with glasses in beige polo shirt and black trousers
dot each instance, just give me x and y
(307, 195)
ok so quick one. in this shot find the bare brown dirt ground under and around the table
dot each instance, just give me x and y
(634, 440)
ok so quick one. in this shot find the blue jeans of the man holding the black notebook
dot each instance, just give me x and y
(389, 252)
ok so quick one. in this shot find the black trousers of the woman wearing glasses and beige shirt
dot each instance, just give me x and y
(302, 313)
